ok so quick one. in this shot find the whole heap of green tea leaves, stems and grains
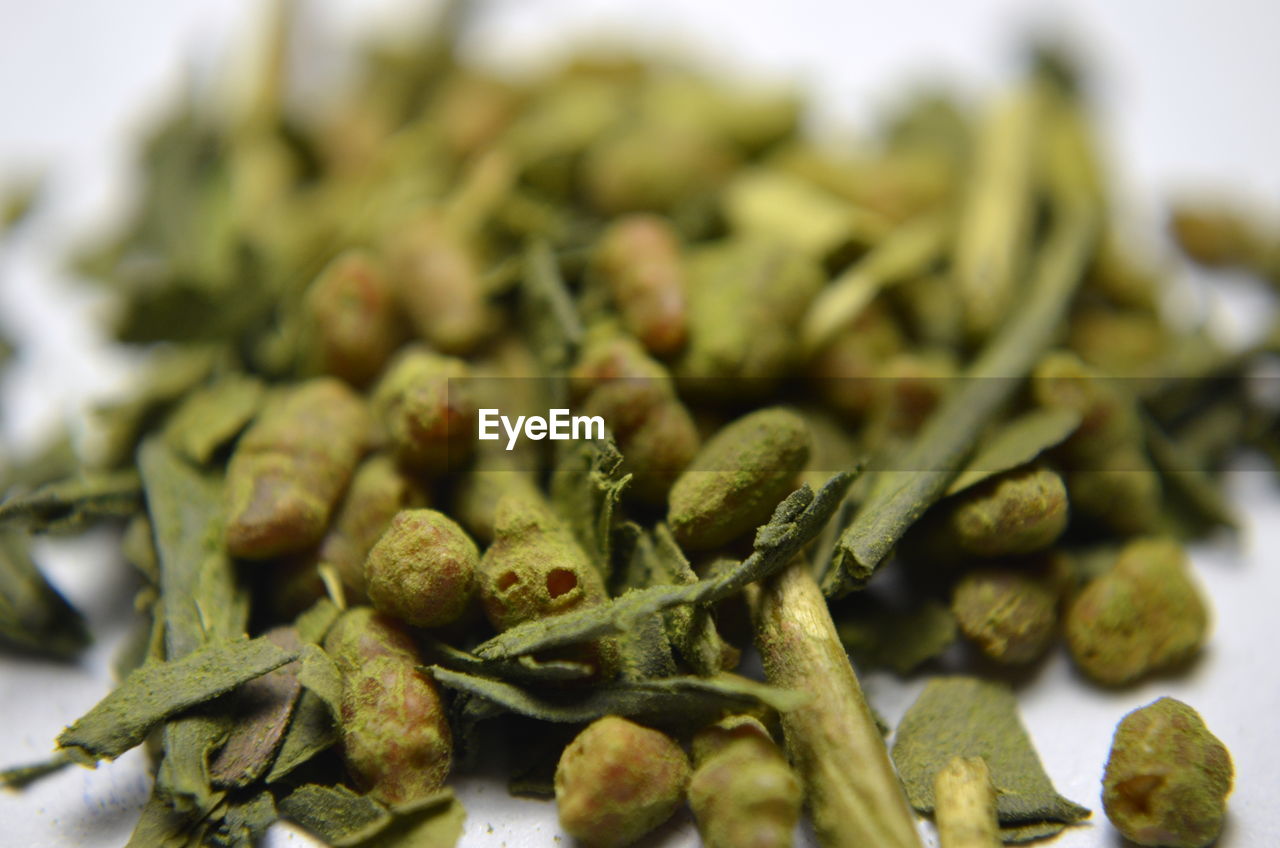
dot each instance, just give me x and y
(487, 423)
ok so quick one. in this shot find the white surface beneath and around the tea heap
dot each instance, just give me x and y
(1187, 99)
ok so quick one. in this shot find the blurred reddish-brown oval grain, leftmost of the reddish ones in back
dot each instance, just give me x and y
(353, 318)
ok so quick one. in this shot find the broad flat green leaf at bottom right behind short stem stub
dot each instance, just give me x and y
(970, 718)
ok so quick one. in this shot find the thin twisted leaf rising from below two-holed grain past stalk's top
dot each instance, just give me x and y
(798, 519)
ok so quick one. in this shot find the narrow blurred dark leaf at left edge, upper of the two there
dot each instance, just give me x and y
(70, 505)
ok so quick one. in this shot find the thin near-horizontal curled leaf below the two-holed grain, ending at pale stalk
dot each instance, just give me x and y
(664, 701)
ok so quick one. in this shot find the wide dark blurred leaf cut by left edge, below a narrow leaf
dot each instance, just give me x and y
(34, 616)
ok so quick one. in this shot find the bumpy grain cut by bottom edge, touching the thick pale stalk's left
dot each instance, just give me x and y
(743, 792)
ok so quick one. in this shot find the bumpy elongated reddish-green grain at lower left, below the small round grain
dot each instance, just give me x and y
(396, 737)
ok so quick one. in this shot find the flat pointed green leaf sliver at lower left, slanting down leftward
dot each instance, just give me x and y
(162, 690)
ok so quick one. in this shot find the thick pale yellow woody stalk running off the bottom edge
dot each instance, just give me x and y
(854, 796)
